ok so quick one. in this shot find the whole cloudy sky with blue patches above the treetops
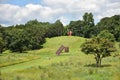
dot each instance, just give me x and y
(14, 12)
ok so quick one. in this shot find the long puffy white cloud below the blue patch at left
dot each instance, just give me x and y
(11, 14)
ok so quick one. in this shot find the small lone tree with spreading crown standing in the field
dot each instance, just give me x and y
(99, 47)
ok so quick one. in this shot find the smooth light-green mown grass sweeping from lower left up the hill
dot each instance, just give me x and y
(47, 56)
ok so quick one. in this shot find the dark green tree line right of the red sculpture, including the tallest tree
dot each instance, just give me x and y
(87, 28)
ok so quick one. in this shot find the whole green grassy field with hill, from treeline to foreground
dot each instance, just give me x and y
(44, 64)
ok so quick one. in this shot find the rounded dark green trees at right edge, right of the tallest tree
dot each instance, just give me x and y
(112, 24)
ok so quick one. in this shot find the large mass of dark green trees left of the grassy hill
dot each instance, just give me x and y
(31, 35)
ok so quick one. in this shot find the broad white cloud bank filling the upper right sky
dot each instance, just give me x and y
(100, 9)
